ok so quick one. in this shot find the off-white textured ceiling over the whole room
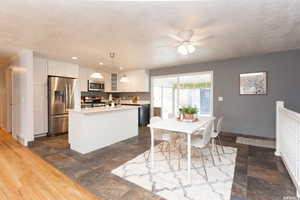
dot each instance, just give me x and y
(136, 31)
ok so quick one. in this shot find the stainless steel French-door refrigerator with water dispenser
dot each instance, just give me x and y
(60, 100)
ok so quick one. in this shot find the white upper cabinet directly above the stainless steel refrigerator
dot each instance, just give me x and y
(57, 68)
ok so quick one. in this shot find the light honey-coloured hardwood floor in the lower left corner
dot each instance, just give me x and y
(25, 176)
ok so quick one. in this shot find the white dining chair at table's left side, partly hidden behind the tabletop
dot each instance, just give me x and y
(165, 138)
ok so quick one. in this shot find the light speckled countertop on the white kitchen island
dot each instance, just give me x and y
(103, 109)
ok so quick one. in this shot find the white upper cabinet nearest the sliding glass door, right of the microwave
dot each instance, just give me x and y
(138, 81)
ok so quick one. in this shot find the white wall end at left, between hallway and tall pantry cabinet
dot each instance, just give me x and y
(22, 97)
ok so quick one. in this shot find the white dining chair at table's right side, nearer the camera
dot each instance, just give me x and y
(202, 142)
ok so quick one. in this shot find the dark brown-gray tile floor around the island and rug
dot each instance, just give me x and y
(259, 175)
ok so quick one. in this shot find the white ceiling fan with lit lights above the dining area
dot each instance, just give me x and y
(185, 42)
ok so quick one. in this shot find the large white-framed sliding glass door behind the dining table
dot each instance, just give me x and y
(171, 92)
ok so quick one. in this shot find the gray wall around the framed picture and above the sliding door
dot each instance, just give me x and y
(250, 115)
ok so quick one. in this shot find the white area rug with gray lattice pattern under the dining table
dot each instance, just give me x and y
(170, 182)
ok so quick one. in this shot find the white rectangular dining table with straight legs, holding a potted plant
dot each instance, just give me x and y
(174, 125)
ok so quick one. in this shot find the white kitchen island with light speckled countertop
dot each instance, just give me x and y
(94, 128)
